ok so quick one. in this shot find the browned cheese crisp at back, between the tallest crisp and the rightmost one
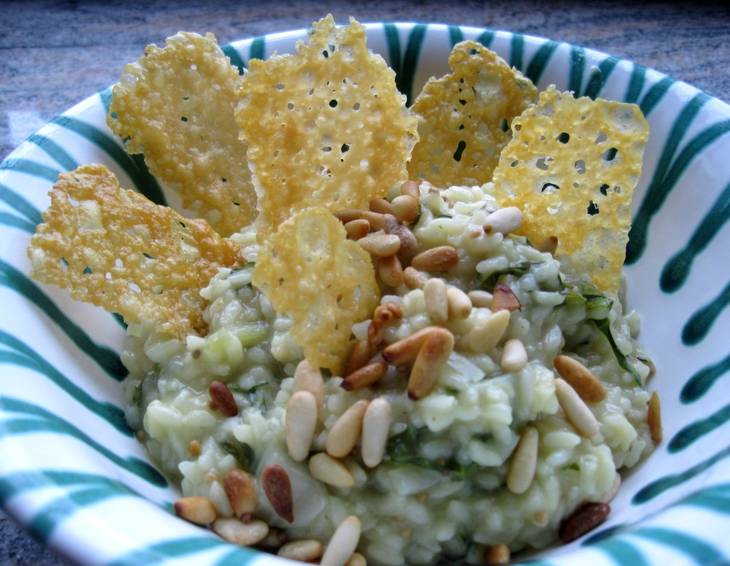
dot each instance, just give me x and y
(466, 116)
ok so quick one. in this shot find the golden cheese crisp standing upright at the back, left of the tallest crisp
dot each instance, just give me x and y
(176, 106)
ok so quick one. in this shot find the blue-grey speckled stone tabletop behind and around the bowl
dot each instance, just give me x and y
(54, 54)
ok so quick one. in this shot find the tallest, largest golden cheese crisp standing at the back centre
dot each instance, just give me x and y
(325, 126)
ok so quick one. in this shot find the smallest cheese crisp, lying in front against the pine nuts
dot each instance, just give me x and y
(324, 282)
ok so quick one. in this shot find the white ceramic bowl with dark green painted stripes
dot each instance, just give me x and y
(75, 476)
